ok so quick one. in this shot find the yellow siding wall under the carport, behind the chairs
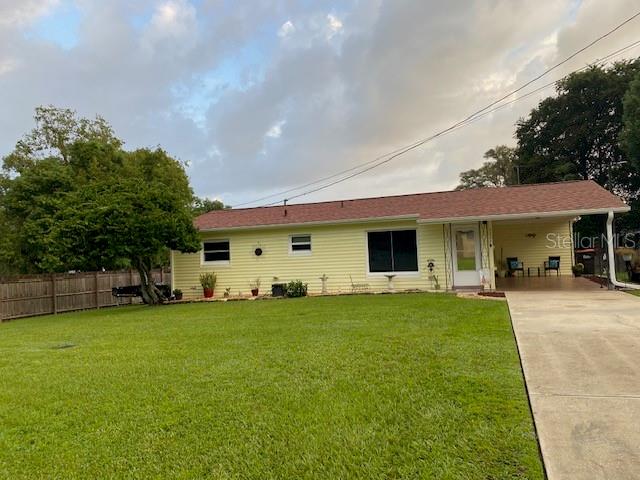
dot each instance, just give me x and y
(552, 238)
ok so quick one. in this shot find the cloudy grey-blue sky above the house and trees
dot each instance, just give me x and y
(263, 95)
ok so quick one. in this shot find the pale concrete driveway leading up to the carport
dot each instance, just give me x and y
(581, 357)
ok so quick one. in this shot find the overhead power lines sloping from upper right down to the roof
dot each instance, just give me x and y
(389, 156)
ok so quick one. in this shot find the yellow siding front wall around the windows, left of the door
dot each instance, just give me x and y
(337, 251)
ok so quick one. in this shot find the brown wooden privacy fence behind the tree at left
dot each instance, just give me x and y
(27, 296)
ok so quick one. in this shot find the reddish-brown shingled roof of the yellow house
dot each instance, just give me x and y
(526, 200)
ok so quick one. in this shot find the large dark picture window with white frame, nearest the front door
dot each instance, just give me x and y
(393, 251)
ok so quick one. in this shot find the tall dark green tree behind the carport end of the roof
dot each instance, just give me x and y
(575, 134)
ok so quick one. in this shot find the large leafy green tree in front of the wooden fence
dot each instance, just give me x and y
(89, 204)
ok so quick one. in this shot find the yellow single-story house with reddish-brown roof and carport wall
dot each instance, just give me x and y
(427, 241)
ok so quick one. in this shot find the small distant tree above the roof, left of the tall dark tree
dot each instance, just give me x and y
(498, 171)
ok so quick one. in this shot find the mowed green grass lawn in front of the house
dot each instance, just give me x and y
(387, 386)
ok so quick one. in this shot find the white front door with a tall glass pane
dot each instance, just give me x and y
(465, 248)
